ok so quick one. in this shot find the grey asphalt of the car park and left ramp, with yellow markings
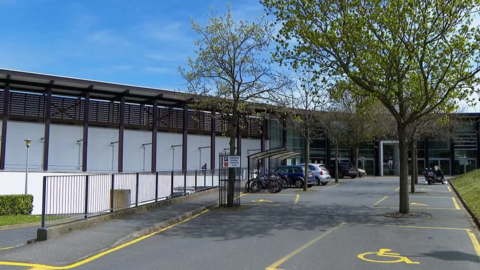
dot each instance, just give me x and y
(330, 227)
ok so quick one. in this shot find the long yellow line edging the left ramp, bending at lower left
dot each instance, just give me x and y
(99, 255)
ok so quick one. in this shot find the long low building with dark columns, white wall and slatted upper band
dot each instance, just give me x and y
(80, 125)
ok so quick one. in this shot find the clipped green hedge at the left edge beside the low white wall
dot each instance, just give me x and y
(16, 204)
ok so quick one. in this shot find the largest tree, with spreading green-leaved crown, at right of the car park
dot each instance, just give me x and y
(415, 57)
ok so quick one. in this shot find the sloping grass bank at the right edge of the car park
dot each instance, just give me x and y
(468, 186)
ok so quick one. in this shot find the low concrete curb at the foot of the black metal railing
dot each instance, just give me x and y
(55, 231)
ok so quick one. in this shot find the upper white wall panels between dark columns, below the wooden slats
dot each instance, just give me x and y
(65, 153)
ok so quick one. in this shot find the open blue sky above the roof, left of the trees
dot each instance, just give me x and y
(132, 42)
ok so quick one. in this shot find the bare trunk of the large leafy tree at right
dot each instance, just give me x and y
(404, 202)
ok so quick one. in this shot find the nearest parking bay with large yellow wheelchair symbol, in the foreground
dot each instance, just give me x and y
(364, 246)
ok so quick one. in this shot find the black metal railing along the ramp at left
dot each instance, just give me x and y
(73, 197)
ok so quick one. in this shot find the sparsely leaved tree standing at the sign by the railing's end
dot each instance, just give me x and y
(230, 72)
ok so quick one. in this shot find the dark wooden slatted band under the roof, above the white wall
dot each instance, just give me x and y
(25, 106)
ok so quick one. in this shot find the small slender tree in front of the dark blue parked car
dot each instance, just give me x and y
(301, 108)
